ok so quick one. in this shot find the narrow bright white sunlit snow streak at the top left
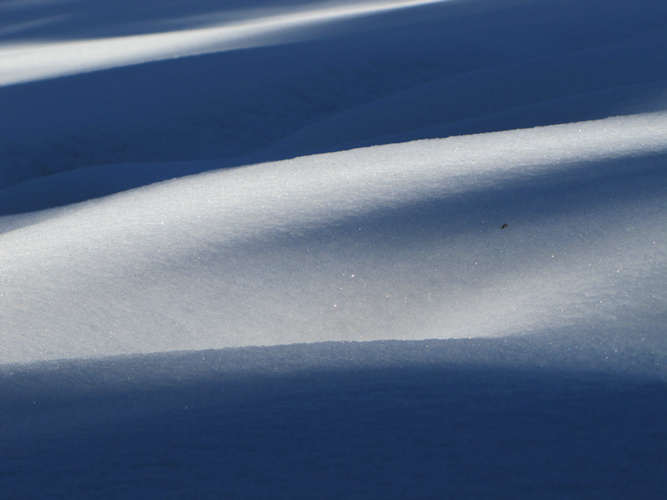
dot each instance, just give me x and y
(39, 61)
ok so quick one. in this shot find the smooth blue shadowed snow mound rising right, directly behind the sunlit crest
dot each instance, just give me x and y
(421, 107)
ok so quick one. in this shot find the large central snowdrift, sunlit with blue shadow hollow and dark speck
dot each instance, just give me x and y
(345, 246)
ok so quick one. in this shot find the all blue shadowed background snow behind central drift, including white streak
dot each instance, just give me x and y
(324, 80)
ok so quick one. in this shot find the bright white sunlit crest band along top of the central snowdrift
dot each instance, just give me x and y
(321, 189)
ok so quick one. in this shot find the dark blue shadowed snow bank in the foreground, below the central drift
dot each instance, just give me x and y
(466, 418)
